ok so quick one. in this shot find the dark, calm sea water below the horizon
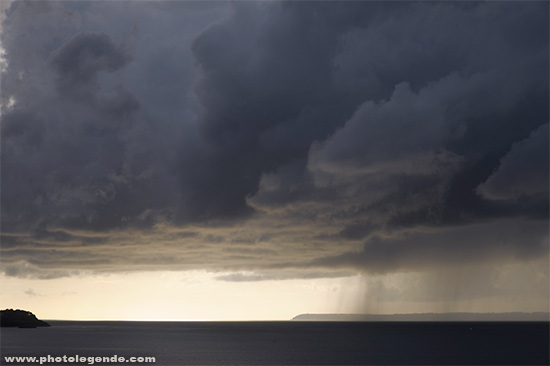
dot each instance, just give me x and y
(289, 343)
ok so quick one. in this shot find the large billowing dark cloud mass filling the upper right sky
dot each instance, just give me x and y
(413, 156)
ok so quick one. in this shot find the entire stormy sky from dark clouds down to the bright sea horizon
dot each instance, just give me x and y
(253, 160)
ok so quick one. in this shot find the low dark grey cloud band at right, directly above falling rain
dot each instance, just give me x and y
(477, 243)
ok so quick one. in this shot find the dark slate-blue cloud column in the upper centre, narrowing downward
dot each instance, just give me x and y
(265, 93)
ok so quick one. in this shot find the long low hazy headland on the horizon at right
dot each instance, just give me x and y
(512, 316)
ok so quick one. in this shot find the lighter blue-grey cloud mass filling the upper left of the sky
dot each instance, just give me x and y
(84, 143)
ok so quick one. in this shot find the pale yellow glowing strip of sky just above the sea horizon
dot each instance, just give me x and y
(200, 295)
